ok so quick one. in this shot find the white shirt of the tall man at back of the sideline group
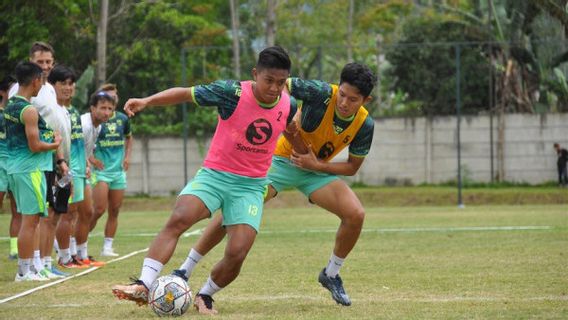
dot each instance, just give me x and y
(56, 116)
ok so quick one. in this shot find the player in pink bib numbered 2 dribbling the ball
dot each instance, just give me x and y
(252, 114)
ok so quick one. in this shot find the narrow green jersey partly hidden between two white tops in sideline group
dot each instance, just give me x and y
(78, 161)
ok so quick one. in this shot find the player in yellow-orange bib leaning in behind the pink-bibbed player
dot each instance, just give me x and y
(332, 118)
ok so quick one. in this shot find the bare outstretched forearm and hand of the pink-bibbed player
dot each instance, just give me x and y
(163, 98)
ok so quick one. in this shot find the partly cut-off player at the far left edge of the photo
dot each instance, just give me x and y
(16, 218)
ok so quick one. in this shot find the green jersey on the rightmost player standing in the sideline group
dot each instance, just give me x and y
(110, 147)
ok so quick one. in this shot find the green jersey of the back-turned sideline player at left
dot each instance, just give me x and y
(20, 158)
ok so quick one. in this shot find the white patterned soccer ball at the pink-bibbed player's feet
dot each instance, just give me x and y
(169, 296)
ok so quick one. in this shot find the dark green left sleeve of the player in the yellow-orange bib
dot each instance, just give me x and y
(310, 92)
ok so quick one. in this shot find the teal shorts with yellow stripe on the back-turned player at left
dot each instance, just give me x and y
(29, 190)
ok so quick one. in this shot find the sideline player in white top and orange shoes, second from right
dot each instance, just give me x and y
(101, 108)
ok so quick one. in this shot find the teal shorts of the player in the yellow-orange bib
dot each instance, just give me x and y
(283, 174)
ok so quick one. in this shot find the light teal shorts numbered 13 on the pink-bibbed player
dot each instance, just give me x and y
(240, 198)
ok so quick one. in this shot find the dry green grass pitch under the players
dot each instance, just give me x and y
(480, 262)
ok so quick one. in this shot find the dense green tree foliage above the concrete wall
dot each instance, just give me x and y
(411, 44)
